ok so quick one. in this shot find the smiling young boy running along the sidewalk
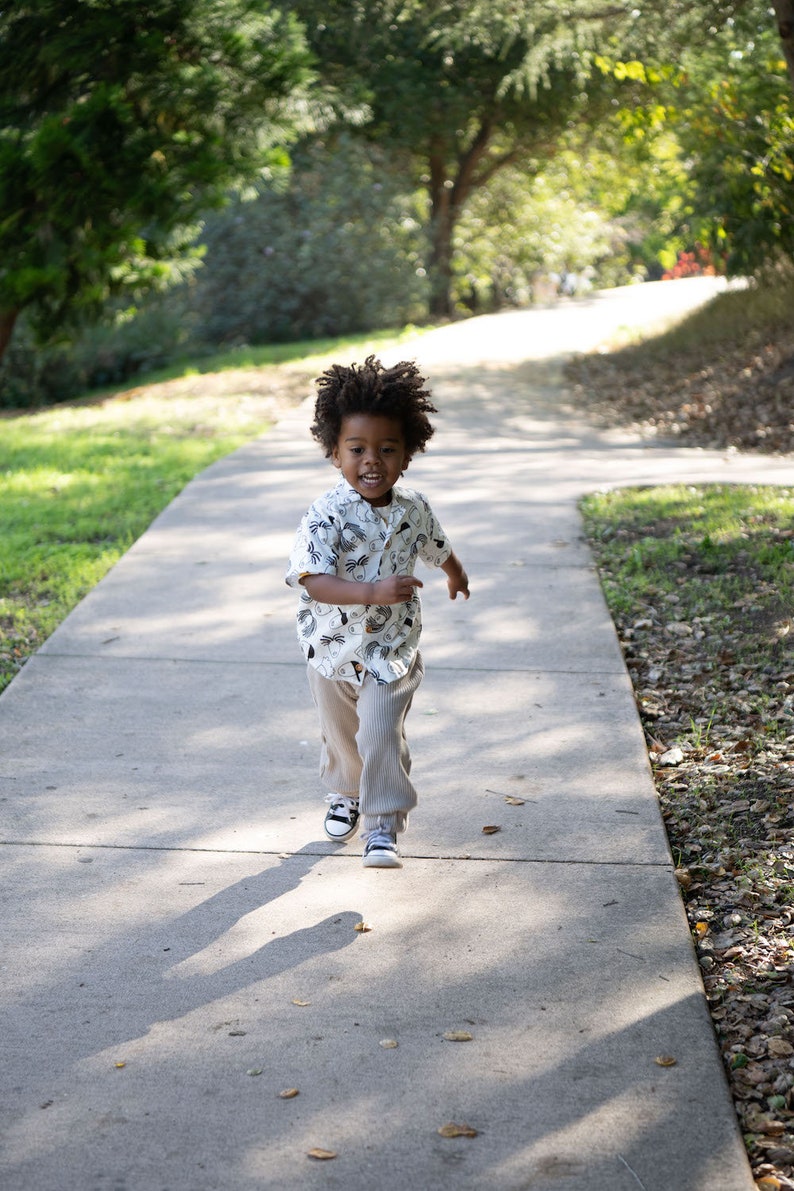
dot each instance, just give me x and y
(359, 620)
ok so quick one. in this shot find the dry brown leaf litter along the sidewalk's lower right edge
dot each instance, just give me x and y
(717, 706)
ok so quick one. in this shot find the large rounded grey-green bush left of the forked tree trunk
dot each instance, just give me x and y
(339, 251)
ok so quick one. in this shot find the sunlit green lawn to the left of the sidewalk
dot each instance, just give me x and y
(80, 483)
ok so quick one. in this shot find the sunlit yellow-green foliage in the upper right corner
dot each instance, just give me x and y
(726, 102)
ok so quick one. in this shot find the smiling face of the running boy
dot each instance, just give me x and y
(371, 453)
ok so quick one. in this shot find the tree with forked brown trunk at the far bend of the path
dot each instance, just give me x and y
(459, 91)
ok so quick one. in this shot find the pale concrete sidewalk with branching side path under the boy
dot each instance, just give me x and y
(180, 940)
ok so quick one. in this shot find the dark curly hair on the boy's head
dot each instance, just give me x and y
(393, 392)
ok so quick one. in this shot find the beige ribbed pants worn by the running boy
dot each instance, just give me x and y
(365, 749)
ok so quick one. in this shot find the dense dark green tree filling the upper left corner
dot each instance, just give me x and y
(121, 122)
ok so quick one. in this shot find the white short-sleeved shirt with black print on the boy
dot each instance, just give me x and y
(343, 535)
